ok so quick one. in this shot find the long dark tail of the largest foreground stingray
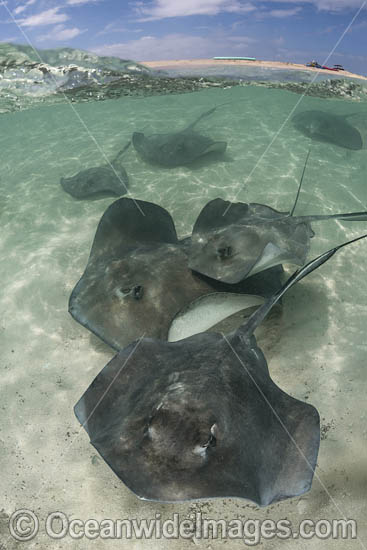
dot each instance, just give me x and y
(256, 318)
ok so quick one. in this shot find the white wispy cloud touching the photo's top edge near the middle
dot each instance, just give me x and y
(162, 9)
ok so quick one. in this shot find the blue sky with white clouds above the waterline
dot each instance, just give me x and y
(150, 30)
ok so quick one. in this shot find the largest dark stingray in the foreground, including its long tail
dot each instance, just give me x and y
(202, 418)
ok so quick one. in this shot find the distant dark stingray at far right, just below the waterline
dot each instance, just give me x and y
(329, 128)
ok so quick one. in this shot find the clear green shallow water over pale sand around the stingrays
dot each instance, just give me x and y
(48, 360)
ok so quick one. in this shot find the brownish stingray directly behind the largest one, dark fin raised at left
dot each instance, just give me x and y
(137, 278)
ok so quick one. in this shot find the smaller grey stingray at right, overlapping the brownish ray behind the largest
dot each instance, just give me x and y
(232, 241)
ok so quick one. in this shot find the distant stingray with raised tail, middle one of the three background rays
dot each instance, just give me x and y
(177, 148)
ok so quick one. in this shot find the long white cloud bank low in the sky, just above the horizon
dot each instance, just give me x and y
(176, 46)
